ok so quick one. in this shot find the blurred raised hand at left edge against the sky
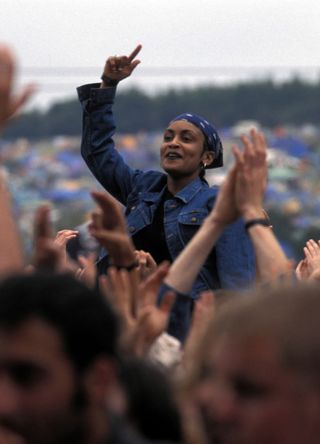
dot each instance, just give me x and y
(10, 104)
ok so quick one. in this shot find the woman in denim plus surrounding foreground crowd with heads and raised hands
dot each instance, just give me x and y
(191, 326)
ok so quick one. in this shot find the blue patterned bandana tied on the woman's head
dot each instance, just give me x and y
(212, 138)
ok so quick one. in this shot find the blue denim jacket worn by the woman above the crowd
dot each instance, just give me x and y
(231, 264)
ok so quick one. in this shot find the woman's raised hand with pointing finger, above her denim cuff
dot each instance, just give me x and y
(118, 68)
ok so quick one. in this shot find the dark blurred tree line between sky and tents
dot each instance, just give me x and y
(292, 102)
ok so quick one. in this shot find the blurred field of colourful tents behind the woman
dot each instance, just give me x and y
(51, 170)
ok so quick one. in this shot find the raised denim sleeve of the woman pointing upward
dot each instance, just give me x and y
(97, 146)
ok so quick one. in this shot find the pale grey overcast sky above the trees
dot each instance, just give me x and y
(75, 37)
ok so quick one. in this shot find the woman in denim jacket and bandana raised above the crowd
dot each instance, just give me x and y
(164, 210)
